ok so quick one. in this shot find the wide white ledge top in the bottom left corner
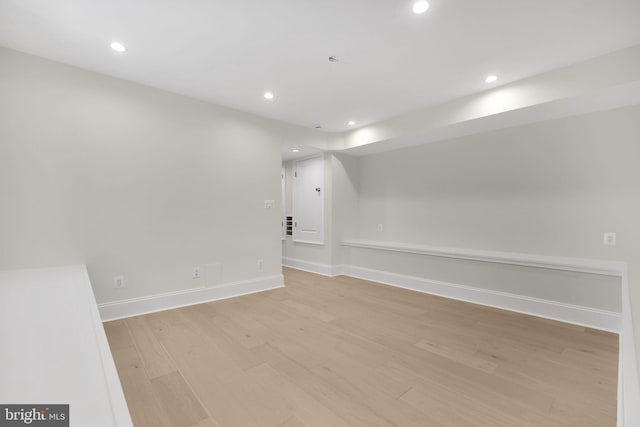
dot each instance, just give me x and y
(54, 348)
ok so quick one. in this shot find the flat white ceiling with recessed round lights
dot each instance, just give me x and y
(390, 60)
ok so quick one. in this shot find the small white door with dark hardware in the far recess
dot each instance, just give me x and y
(308, 200)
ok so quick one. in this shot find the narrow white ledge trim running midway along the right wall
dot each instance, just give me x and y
(591, 266)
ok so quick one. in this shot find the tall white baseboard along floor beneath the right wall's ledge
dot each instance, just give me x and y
(578, 315)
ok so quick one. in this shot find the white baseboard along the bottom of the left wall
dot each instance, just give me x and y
(160, 302)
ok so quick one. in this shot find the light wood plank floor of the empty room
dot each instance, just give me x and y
(346, 352)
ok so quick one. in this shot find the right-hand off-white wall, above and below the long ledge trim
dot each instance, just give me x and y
(550, 188)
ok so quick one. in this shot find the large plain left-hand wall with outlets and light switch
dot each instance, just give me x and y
(133, 181)
